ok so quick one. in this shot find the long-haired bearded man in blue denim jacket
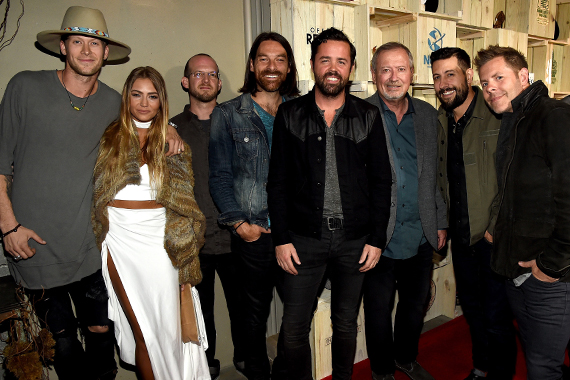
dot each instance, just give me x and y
(240, 147)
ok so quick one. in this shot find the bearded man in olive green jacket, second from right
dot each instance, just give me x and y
(467, 134)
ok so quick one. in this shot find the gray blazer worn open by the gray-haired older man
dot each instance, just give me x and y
(433, 212)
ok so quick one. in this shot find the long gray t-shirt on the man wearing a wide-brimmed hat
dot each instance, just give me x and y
(53, 149)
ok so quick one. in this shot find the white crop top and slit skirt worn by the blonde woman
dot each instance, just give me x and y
(136, 243)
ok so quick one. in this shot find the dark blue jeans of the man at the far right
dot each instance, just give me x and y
(542, 311)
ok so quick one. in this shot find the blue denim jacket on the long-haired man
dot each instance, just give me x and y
(239, 163)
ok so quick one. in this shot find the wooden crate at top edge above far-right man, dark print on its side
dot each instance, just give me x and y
(534, 17)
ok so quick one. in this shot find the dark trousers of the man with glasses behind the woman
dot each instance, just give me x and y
(227, 267)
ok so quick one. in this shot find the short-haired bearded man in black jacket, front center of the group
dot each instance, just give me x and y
(329, 201)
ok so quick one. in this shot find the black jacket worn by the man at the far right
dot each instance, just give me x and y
(533, 168)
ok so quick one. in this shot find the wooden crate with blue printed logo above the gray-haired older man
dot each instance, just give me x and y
(422, 34)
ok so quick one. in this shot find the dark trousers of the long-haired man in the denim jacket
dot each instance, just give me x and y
(260, 274)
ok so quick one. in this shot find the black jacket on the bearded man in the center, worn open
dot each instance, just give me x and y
(297, 171)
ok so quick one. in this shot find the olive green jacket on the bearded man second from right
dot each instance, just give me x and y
(479, 145)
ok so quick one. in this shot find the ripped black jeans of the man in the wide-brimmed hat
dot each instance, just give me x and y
(54, 310)
